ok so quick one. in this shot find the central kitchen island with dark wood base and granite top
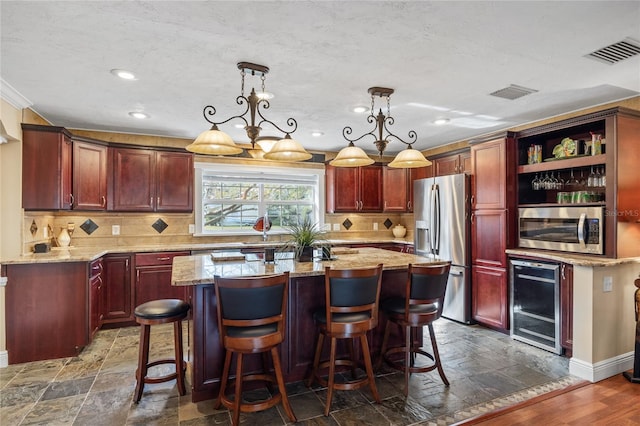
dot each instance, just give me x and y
(306, 294)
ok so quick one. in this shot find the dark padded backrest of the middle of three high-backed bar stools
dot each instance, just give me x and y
(354, 295)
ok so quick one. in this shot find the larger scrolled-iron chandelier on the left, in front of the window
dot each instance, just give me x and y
(216, 142)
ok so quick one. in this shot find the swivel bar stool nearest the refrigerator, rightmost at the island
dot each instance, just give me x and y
(422, 305)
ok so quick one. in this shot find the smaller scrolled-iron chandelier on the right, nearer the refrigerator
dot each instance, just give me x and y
(353, 156)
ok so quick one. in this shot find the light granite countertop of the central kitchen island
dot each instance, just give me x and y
(201, 269)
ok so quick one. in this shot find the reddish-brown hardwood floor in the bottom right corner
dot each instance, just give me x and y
(614, 401)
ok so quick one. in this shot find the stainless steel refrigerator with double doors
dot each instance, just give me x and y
(442, 231)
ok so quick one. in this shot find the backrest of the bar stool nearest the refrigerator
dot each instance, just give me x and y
(426, 284)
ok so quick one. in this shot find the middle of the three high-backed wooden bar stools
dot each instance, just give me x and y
(352, 297)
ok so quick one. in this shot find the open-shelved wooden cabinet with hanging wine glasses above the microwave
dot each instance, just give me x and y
(608, 179)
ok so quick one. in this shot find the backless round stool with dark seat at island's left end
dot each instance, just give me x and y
(156, 312)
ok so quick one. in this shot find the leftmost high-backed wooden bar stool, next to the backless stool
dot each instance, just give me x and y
(251, 319)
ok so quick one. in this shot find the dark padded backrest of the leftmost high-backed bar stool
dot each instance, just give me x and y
(252, 302)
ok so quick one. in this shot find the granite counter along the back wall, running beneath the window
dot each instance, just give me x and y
(87, 254)
